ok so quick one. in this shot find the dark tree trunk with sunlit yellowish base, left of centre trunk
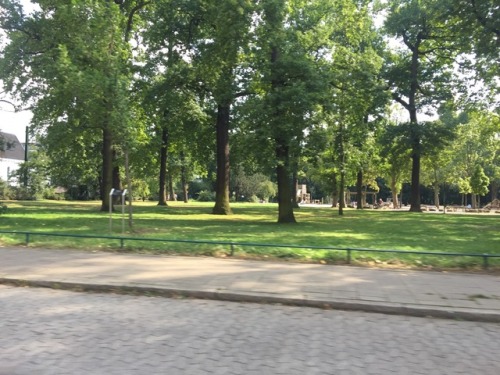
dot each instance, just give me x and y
(222, 206)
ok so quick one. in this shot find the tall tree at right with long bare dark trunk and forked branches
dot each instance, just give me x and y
(418, 75)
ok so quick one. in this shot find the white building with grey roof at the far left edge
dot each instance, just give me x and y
(11, 156)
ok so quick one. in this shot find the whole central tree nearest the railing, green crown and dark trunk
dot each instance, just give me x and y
(294, 41)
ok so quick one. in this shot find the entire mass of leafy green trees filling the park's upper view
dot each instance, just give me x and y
(297, 89)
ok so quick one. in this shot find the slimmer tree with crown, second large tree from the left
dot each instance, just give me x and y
(166, 80)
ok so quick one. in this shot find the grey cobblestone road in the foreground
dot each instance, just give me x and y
(59, 332)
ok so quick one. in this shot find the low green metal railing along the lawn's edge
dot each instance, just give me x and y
(231, 245)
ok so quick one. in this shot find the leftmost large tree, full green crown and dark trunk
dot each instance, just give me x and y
(73, 75)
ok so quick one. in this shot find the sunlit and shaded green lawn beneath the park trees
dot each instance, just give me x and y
(256, 223)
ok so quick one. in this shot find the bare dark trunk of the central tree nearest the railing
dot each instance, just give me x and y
(285, 205)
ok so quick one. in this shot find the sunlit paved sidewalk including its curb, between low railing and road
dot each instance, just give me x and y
(418, 293)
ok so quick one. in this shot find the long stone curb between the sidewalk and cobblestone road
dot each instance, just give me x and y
(374, 307)
